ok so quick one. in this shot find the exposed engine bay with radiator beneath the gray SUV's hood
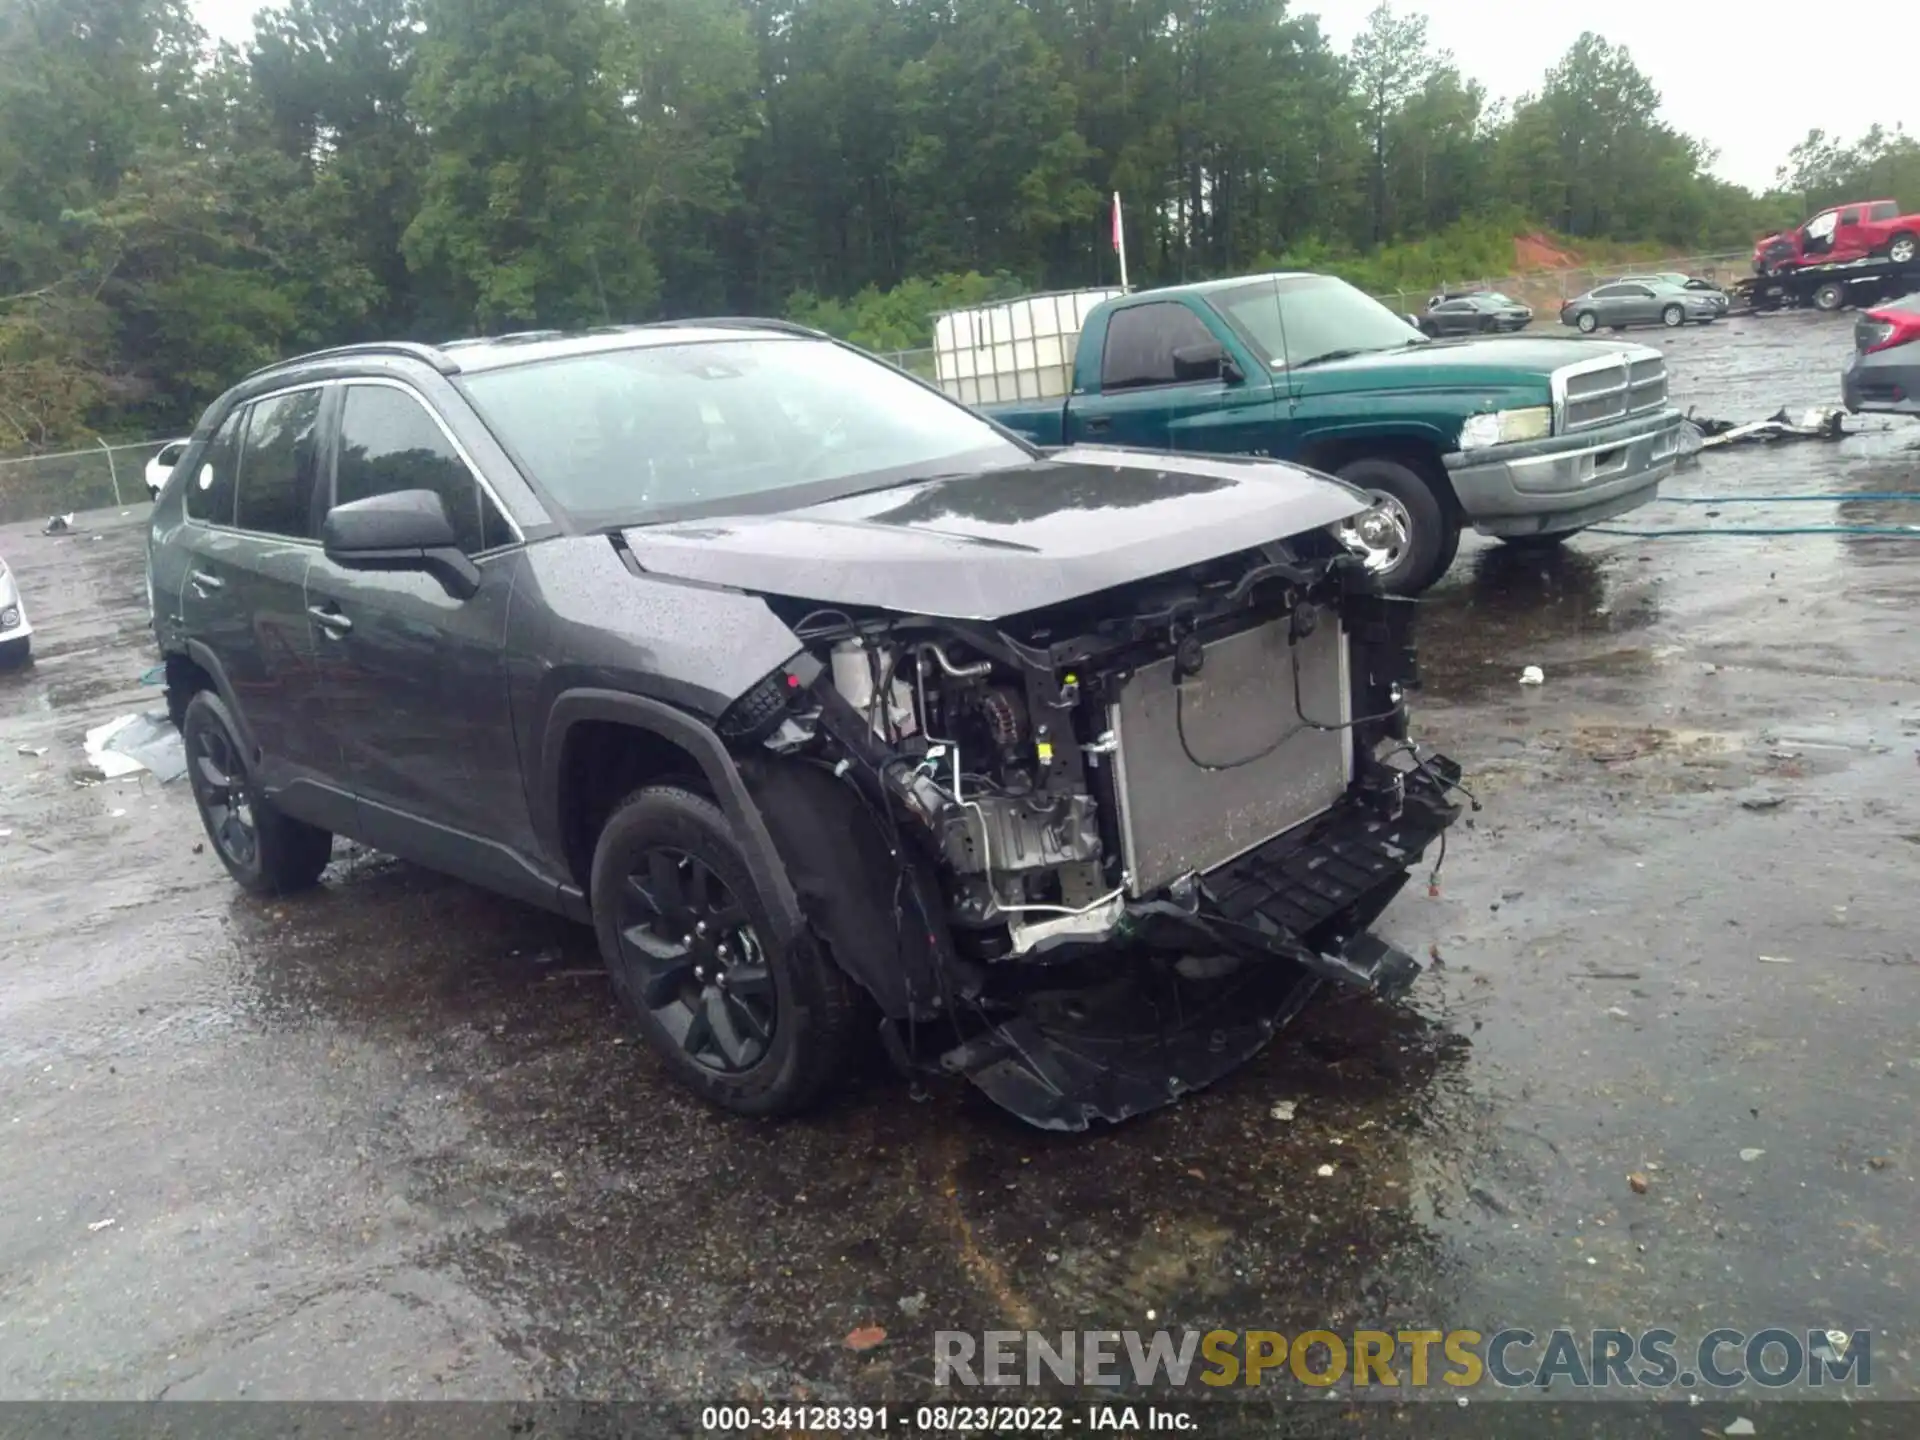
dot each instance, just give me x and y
(1070, 771)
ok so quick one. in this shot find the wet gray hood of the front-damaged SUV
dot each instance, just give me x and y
(1005, 542)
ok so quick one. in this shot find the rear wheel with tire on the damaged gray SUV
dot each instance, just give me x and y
(266, 852)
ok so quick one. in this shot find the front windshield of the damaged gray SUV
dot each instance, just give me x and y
(725, 427)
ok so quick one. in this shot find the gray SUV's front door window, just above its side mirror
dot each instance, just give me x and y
(391, 443)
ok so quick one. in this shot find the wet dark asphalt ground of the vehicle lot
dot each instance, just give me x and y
(395, 1141)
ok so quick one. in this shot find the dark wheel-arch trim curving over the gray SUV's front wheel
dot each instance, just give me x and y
(711, 756)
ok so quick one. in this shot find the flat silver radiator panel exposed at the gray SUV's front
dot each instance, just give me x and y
(1239, 715)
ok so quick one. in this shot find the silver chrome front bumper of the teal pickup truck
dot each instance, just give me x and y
(1566, 483)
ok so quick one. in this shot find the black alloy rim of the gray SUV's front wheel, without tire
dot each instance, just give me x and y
(696, 963)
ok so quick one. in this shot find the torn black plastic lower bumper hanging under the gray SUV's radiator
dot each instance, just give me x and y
(1214, 972)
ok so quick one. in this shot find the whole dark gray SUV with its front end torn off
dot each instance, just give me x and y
(832, 708)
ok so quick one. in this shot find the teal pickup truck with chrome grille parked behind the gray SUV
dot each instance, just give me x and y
(1524, 439)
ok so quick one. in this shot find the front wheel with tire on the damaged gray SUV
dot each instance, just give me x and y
(752, 1026)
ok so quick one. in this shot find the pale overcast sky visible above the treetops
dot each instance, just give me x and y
(1750, 91)
